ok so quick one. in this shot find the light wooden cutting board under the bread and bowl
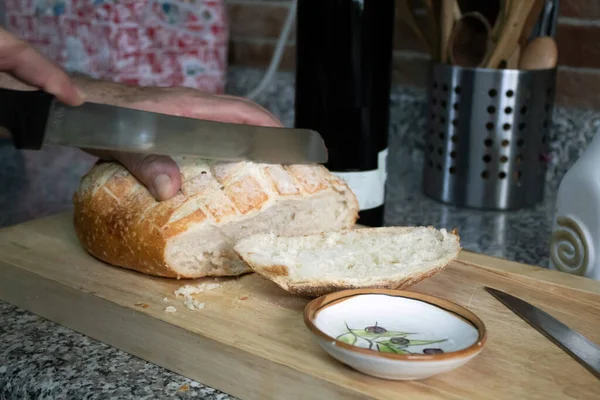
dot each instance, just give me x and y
(250, 340)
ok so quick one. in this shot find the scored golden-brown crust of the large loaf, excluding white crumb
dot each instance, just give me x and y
(118, 221)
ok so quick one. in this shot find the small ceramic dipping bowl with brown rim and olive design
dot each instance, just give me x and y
(395, 334)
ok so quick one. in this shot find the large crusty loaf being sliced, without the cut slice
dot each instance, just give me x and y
(192, 235)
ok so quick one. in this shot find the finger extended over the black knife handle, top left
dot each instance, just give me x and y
(23, 62)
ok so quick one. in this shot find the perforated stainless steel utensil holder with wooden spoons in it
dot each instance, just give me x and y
(487, 136)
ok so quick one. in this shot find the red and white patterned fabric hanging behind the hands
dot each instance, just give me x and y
(139, 42)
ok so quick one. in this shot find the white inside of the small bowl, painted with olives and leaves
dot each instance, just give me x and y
(394, 324)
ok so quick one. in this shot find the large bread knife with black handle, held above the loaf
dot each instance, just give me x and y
(36, 118)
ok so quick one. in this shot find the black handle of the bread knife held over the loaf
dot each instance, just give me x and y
(25, 114)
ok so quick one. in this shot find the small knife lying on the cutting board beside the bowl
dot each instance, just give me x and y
(573, 343)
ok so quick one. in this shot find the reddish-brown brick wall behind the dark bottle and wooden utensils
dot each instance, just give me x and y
(256, 24)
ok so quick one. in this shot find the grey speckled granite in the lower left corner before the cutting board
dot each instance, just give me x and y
(42, 360)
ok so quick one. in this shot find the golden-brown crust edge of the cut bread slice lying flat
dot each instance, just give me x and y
(279, 275)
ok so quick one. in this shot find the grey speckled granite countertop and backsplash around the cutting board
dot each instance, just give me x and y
(39, 359)
